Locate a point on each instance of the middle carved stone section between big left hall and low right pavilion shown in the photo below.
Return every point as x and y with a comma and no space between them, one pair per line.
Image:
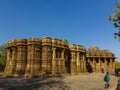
78,61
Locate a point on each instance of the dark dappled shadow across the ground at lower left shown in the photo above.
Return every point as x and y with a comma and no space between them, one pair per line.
42,83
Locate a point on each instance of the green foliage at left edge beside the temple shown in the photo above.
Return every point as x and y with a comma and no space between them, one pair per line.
2,57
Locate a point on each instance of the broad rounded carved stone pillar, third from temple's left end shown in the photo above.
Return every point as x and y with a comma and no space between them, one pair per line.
33,57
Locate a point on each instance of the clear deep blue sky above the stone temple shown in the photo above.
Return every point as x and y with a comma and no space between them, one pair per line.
83,22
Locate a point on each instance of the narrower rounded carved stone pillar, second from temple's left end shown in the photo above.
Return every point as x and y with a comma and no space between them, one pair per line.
21,56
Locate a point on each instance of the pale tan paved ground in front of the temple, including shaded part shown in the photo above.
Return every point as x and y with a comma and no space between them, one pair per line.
92,81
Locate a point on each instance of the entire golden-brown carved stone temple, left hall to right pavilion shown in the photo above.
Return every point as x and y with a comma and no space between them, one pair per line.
52,56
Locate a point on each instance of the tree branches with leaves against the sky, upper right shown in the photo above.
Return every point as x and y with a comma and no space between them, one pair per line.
116,19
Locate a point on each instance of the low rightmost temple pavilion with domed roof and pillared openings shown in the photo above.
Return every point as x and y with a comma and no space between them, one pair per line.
100,59
